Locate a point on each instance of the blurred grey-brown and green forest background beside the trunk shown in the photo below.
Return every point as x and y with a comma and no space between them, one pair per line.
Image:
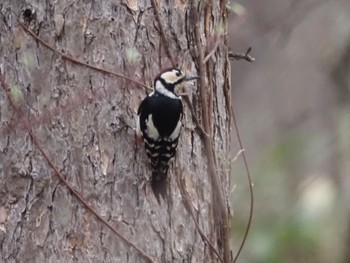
293,110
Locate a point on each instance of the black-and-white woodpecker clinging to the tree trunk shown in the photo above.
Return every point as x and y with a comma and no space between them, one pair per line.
159,122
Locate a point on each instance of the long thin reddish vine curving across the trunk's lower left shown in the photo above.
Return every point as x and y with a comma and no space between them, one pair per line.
62,179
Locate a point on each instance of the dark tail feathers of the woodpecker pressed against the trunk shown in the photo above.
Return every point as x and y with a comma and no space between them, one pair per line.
158,183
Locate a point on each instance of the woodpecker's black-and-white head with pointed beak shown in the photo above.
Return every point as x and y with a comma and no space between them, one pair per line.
166,82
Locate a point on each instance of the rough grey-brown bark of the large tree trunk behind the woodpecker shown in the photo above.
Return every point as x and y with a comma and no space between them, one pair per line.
74,112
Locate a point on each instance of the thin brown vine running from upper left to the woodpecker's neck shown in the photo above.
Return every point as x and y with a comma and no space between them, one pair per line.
75,61
